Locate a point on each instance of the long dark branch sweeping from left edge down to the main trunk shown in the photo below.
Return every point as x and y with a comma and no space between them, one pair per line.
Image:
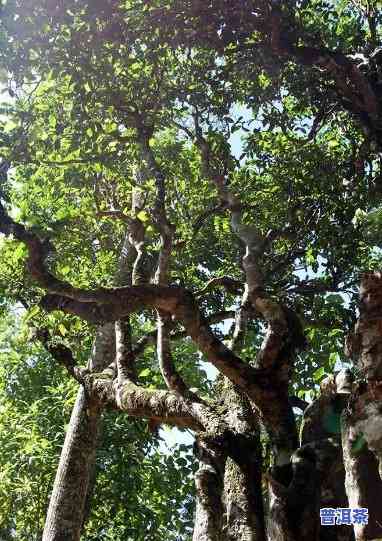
113,304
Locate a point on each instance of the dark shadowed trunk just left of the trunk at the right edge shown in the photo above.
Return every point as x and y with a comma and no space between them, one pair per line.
315,478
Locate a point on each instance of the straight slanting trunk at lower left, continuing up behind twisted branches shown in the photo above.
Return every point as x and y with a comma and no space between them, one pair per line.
71,490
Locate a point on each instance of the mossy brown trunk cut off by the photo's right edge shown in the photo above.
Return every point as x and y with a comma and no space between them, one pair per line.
362,420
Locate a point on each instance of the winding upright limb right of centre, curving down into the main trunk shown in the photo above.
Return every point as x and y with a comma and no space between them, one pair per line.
284,332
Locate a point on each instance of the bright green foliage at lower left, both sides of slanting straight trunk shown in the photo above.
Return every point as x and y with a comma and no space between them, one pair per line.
130,487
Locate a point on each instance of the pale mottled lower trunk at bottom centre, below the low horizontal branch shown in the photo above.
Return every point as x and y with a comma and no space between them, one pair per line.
228,483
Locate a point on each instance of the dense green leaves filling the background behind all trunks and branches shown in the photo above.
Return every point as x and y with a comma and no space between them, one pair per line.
91,92
